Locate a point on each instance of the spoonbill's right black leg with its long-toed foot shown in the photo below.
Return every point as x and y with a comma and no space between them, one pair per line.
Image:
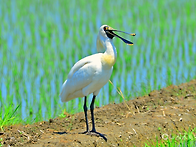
93,131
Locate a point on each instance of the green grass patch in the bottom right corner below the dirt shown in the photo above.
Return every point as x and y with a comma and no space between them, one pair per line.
187,139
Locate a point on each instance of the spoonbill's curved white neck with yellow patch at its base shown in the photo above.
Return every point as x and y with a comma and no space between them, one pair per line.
110,54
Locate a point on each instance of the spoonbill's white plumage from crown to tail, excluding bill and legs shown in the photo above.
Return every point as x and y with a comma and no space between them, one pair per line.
91,73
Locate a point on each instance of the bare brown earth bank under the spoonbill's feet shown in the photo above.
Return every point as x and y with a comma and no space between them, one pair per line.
156,115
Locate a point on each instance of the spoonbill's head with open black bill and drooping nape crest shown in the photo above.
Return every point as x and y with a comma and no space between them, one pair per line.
106,32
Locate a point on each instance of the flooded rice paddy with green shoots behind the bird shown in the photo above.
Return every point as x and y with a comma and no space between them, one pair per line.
41,40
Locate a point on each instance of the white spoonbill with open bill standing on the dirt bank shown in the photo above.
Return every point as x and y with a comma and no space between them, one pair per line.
91,73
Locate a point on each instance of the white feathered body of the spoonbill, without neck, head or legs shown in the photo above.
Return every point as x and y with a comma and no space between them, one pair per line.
87,76
